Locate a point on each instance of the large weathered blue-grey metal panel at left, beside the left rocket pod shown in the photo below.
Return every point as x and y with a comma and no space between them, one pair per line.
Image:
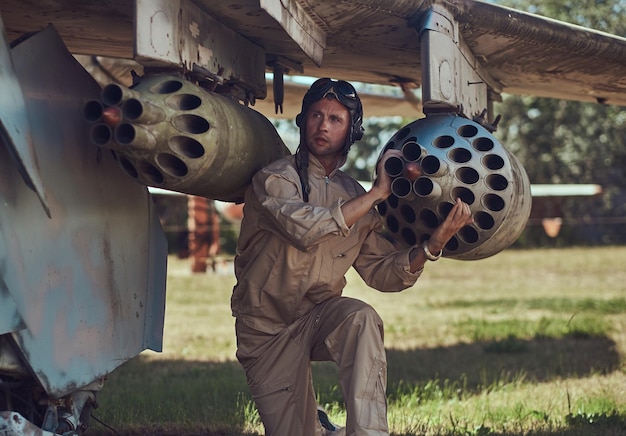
89,282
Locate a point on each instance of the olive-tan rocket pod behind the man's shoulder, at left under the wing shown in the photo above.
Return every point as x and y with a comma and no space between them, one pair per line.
169,133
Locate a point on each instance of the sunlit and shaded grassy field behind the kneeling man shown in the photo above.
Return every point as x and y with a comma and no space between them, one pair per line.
524,342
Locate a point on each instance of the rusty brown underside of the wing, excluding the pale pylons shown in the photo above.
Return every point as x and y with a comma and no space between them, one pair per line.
372,41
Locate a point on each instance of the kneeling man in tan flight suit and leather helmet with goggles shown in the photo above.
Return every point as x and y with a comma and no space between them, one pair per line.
305,224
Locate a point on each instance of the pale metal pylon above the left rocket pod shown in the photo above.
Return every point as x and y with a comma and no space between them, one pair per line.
178,34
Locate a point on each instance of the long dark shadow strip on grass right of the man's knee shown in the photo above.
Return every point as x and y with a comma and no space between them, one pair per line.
485,363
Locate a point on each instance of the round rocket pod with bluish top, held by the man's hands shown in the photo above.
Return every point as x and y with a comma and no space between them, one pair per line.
445,157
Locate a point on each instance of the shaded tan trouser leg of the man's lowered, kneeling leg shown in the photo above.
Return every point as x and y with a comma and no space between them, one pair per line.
279,377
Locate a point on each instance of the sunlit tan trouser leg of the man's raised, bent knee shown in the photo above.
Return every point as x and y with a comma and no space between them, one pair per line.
352,333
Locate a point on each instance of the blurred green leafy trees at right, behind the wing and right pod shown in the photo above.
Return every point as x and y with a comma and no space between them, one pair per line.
572,142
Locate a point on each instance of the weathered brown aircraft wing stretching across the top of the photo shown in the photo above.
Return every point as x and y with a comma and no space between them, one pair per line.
372,41
